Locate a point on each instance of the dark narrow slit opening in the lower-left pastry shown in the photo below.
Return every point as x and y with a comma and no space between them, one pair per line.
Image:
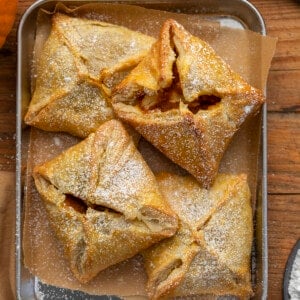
80,206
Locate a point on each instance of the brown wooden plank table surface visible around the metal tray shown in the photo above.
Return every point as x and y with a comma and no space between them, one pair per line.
282,18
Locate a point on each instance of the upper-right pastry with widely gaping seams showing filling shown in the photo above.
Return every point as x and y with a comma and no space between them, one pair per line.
185,100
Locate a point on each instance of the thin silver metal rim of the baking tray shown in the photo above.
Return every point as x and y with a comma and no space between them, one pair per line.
18,246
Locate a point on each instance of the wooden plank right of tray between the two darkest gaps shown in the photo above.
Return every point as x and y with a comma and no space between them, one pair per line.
283,153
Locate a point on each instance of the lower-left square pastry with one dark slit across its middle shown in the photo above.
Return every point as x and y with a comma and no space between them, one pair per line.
103,201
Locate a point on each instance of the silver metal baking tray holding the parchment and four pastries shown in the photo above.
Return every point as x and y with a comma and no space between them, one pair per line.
233,13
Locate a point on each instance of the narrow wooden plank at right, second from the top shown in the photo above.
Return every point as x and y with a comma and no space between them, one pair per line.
283,91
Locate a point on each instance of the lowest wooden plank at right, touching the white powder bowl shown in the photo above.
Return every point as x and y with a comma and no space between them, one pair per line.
283,232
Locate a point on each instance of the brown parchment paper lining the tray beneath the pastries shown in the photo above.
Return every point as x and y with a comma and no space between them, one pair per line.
248,53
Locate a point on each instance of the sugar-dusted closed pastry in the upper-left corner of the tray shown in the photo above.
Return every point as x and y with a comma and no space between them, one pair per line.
68,95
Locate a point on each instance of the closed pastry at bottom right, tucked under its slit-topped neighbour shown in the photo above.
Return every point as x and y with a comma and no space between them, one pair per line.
211,251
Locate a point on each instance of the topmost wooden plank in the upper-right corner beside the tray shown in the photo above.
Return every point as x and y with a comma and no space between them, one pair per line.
282,21
